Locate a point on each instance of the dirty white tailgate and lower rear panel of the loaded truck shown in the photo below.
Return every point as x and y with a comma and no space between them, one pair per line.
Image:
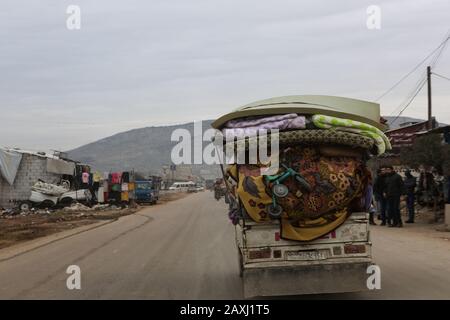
336,262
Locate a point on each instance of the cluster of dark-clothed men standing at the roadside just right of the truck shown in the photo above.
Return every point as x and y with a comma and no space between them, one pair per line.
388,188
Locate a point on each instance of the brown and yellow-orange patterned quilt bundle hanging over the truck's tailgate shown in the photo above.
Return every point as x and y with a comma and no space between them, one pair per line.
338,183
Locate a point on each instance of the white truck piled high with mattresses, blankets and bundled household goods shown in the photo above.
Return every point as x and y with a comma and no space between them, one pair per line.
303,229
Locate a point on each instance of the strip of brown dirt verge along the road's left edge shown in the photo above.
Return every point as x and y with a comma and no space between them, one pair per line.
15,229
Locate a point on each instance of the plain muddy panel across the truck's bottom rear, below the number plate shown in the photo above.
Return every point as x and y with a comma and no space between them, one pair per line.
305,279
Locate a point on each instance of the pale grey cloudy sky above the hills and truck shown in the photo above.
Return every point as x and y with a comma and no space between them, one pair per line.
142,63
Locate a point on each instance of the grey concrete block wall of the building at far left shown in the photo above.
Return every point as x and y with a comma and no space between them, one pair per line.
30,170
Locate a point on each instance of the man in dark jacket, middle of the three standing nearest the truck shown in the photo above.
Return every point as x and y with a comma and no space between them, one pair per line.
393,190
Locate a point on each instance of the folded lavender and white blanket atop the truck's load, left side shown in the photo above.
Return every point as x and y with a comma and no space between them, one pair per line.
249,127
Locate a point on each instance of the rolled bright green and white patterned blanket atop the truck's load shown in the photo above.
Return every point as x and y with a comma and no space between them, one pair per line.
339,124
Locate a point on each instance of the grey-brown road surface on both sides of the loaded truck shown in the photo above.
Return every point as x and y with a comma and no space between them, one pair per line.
185,250
